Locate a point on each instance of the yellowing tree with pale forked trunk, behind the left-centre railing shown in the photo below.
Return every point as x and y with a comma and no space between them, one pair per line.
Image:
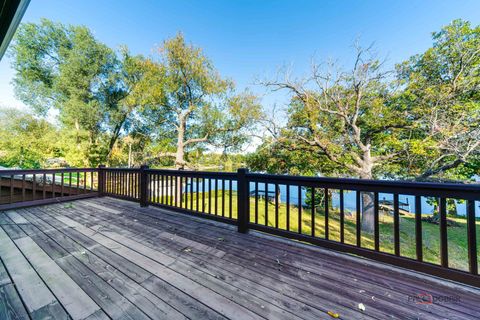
188,105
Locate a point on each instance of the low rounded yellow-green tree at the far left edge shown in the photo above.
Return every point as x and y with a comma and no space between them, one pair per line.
26,141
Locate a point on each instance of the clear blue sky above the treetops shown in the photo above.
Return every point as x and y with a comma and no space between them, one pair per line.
248,39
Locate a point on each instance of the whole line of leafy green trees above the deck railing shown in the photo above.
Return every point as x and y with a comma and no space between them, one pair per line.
419,120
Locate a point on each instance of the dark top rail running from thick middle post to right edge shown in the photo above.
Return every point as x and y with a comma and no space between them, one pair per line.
448,190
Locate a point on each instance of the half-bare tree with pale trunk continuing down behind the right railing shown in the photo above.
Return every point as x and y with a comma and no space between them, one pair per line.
347,117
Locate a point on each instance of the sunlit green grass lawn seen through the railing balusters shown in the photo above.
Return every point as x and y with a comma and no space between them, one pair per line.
457,236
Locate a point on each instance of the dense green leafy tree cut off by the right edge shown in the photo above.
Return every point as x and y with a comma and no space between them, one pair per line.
442,88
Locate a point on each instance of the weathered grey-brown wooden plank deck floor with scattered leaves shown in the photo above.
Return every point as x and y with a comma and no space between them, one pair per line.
105,258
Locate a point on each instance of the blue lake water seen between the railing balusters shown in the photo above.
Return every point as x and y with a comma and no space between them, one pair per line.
349,197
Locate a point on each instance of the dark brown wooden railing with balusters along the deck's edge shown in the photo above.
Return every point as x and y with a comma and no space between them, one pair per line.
408,224
